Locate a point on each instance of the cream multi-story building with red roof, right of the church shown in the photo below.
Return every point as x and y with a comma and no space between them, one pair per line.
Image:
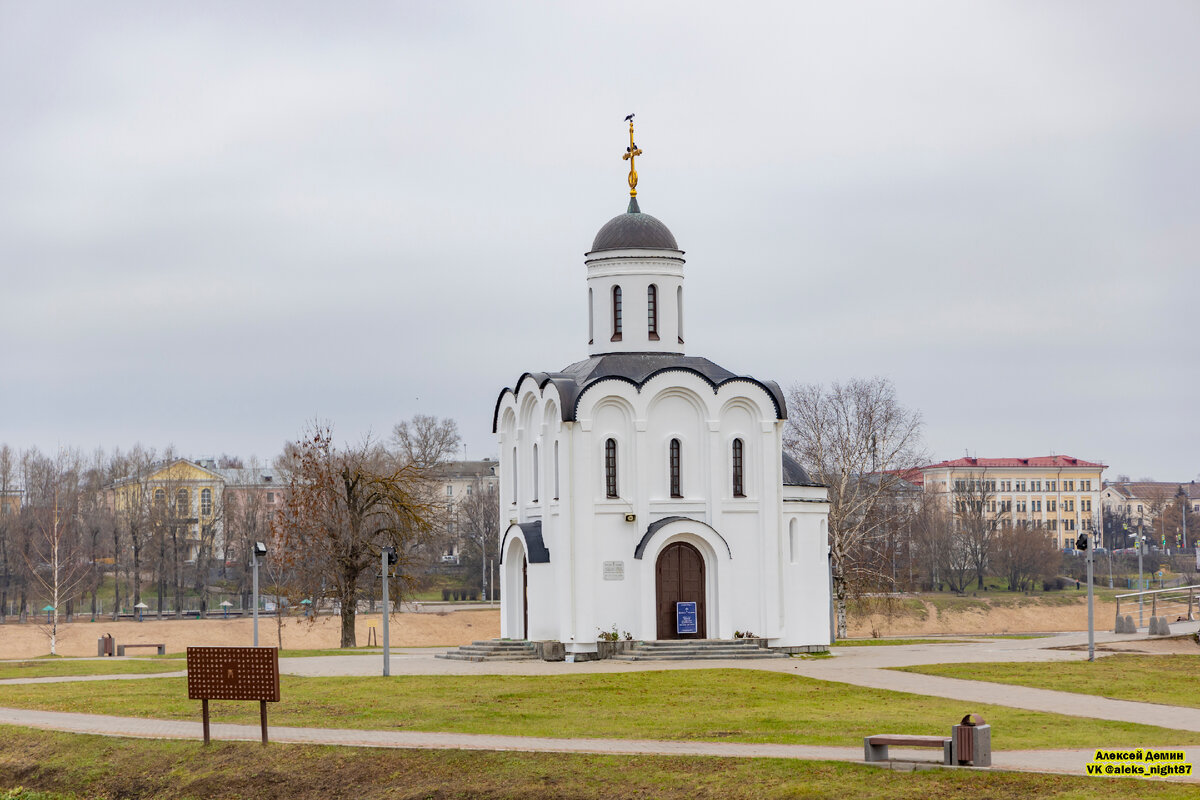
1057,494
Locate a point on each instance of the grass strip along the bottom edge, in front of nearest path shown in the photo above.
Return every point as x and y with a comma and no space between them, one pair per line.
57,767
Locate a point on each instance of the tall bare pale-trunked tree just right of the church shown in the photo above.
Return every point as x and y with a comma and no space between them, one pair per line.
860,442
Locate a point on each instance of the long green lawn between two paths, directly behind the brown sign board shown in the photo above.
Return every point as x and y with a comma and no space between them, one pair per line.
703,705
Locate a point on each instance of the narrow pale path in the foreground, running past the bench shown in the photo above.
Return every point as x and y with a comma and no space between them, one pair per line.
1070,762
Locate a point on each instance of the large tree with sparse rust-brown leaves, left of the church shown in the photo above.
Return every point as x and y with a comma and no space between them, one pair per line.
343,506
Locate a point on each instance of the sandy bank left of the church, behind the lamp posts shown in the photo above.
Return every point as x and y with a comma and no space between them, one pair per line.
428,629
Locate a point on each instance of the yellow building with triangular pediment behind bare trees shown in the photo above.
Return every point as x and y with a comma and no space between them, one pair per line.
177,495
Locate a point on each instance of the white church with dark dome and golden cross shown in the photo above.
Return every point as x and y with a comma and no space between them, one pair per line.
647,490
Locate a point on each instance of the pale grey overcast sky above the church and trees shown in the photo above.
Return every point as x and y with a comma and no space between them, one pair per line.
219,221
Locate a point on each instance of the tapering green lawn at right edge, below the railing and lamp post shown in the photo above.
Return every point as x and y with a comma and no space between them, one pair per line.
1148,679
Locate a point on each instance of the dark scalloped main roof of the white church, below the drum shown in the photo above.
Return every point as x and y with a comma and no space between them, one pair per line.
637,369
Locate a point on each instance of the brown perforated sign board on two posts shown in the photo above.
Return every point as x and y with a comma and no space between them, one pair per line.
233,675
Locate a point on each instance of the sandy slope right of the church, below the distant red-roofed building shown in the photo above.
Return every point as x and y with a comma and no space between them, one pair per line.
1028,619
